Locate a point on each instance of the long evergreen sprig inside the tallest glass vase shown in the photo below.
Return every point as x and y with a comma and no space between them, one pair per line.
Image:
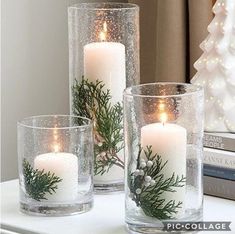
93,100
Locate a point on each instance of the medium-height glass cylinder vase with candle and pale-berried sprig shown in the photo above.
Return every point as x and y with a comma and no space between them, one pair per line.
163,124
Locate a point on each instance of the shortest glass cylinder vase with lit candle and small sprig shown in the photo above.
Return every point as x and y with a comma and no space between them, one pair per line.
55,157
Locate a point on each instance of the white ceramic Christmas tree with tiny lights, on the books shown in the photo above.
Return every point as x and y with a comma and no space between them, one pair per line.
216,69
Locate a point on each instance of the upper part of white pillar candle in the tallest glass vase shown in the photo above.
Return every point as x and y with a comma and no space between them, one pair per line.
105,61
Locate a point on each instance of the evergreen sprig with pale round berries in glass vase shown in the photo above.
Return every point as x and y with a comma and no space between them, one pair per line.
147,186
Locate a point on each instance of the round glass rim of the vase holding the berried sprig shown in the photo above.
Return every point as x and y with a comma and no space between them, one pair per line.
195,89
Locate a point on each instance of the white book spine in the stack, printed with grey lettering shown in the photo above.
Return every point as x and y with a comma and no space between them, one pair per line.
219,158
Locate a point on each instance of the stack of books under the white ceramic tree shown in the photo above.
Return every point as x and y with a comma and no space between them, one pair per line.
219,164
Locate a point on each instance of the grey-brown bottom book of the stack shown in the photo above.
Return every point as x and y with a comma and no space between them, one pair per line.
219,187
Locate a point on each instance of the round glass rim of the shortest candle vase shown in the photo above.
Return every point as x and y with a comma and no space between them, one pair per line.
23,123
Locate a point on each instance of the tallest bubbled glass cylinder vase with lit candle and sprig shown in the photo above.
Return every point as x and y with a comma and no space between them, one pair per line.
103,61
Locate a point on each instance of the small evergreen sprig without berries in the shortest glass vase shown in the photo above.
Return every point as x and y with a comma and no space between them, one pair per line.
39,183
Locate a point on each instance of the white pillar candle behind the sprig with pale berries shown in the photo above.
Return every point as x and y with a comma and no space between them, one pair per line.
168,141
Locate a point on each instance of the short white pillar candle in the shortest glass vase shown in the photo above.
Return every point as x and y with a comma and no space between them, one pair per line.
65,166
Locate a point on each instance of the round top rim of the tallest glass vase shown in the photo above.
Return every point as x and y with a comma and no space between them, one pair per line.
94,6
